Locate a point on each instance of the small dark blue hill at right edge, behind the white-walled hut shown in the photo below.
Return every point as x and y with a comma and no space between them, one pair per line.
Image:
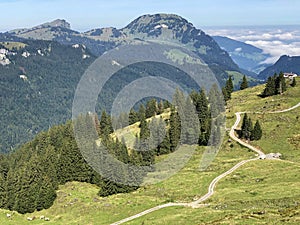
284,64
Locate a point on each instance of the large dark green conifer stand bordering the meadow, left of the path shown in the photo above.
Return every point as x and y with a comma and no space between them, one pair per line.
30,176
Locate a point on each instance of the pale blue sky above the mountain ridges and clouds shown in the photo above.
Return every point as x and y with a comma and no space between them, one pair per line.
88,14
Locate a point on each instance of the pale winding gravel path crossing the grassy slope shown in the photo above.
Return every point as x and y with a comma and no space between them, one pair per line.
196,203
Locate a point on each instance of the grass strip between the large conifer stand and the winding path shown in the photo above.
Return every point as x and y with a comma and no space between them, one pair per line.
78,203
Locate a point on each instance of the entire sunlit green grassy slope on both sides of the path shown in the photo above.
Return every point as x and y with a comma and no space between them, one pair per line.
270,187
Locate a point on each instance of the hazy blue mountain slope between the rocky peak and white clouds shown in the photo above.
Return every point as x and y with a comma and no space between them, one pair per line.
247,57
